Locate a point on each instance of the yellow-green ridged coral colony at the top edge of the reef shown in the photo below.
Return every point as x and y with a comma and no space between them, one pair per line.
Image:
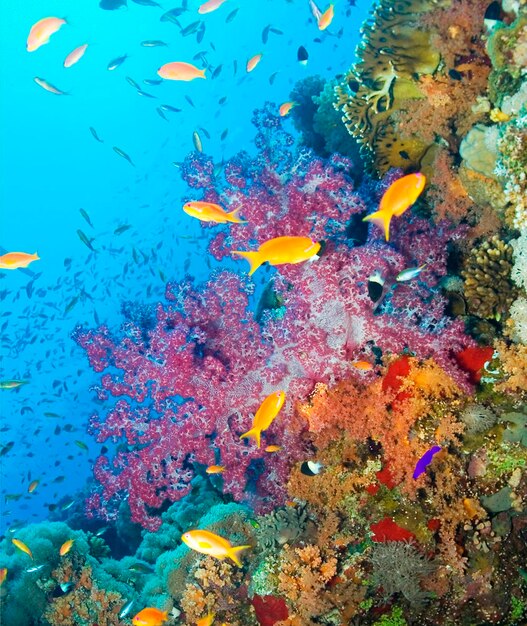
394,51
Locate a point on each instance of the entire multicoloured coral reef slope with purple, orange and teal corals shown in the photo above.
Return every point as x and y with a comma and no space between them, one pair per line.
395,490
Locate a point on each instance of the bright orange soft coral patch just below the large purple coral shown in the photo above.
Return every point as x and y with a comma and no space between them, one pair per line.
365,412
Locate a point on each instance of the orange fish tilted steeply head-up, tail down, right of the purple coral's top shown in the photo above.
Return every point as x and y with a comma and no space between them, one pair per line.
399,197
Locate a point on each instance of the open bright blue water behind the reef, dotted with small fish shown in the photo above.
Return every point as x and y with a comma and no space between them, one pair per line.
51,166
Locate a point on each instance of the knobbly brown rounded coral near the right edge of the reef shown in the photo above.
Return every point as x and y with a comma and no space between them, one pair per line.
489,291
